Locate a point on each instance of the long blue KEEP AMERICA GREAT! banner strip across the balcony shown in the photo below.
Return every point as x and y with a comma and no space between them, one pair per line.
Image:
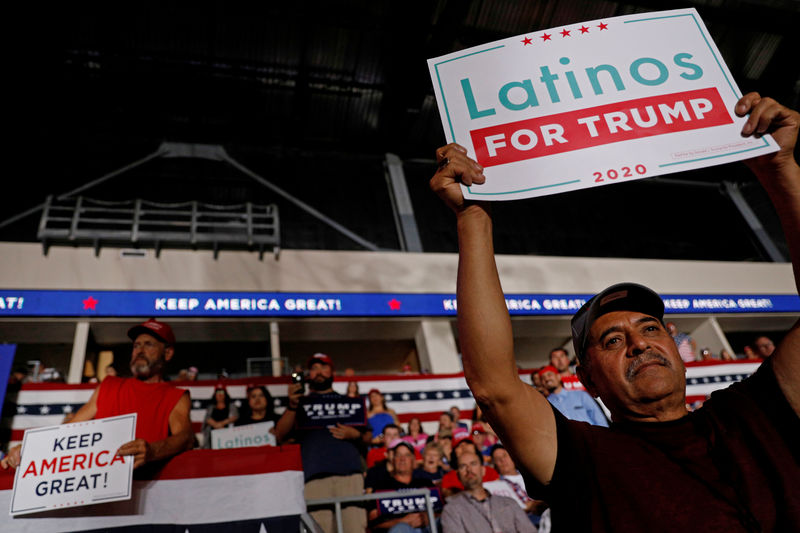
42,303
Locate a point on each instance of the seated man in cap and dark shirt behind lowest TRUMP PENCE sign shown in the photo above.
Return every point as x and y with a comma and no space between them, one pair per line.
402,477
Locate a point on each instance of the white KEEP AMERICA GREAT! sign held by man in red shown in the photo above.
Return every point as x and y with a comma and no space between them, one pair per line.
74,464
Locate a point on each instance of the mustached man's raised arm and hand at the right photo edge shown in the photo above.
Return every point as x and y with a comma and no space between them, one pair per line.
779,174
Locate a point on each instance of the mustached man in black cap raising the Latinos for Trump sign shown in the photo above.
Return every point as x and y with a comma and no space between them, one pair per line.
730,466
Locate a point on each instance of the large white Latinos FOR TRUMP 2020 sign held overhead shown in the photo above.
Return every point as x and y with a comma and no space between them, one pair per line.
592,104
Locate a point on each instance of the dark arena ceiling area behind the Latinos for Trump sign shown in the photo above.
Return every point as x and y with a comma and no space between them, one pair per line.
312,94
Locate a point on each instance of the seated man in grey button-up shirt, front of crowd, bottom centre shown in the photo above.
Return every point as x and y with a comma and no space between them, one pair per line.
476,510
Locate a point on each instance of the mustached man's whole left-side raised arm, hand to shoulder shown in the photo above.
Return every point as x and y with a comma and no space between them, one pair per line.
519,414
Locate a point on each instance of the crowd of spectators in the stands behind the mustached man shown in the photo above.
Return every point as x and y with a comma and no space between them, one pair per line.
465,462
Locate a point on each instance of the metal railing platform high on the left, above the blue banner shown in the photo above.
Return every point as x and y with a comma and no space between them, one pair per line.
81,220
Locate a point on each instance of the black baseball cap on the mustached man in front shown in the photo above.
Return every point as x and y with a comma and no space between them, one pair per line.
619,297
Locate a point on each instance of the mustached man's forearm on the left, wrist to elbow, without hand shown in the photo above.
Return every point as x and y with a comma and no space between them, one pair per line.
483,322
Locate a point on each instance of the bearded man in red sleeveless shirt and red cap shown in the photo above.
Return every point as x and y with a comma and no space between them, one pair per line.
163,428
